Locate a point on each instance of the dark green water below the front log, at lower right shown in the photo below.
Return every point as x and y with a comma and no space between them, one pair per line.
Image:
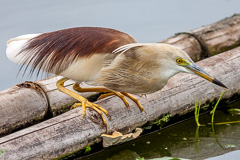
184,140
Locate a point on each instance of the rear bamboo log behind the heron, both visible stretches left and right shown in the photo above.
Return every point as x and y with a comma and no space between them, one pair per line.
224,33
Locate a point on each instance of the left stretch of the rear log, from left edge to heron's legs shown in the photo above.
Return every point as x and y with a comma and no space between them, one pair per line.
32,102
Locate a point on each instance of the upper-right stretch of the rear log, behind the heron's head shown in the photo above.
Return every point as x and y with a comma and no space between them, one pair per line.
209,40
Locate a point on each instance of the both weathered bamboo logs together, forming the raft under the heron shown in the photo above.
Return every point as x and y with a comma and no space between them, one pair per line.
66,133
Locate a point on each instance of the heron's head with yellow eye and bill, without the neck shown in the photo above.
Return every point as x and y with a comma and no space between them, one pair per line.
176,60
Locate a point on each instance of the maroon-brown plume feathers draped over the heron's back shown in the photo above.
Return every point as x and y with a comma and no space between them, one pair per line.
53,52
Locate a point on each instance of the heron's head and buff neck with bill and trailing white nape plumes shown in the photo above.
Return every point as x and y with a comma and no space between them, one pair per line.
167,60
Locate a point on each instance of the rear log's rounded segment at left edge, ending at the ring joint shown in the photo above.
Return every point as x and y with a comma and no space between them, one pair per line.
13,110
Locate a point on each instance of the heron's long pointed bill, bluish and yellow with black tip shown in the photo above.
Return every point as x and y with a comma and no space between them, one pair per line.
198,71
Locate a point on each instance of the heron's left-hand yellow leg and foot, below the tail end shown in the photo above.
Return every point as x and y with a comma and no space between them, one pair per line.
84,102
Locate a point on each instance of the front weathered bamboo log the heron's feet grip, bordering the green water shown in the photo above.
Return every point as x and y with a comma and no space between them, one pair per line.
69,132
